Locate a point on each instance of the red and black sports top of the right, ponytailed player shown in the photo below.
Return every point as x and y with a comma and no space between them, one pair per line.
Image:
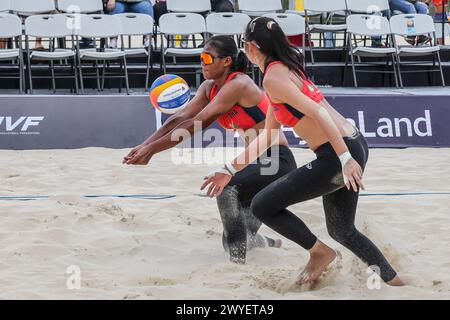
287,114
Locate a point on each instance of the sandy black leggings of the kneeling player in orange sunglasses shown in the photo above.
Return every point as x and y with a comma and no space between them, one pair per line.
240,226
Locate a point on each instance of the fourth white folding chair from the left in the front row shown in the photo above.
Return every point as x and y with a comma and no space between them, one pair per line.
137,24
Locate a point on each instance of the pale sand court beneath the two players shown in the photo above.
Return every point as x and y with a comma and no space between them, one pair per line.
123,245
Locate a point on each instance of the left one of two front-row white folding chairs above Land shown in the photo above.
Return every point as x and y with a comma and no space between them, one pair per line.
369,26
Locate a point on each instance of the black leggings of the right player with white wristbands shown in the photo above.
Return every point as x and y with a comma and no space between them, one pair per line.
322,177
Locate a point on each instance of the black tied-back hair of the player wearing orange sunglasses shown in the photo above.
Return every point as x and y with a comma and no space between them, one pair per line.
226,47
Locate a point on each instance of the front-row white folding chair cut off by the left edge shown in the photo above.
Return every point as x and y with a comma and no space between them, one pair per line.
11,27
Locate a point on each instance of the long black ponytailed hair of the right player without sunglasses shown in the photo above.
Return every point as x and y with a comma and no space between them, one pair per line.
273,42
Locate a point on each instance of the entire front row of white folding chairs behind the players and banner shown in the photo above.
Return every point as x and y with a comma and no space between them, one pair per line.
105,26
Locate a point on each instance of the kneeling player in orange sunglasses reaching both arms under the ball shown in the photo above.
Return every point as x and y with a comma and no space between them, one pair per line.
231,97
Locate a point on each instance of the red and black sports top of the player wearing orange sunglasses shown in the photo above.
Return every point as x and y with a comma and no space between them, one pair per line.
239,117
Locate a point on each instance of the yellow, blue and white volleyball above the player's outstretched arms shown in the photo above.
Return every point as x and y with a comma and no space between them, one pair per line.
169,93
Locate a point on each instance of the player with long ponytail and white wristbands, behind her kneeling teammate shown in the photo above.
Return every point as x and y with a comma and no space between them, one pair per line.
336,174
